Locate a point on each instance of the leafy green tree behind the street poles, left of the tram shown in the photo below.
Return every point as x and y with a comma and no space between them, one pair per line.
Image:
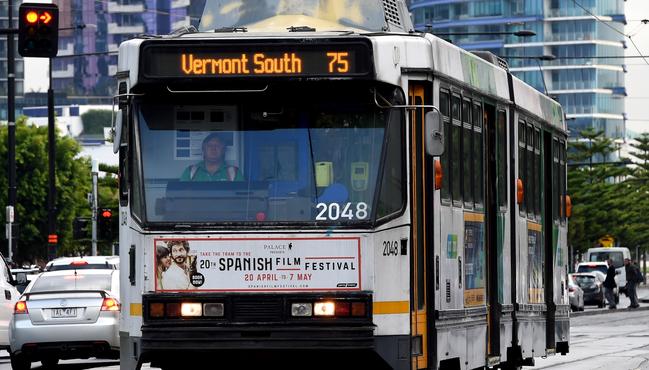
73,182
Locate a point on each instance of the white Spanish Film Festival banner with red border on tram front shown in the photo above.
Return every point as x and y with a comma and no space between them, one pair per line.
258,264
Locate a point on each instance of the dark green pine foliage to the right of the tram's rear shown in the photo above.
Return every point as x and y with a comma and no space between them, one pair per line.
608,198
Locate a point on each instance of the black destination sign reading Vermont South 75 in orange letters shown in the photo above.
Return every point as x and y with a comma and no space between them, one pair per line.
190,60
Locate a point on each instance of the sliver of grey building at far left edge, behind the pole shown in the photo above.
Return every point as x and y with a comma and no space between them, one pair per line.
19,65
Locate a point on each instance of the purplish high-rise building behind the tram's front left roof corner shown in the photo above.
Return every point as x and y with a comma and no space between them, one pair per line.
92,32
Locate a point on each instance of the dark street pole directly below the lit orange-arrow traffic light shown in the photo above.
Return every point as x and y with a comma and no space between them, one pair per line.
51,140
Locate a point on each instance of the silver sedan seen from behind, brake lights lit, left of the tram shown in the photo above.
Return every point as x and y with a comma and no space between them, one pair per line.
64,315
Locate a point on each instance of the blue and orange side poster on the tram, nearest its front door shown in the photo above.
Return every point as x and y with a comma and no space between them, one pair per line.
474,265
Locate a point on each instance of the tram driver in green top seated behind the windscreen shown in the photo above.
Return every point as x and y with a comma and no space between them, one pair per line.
213,166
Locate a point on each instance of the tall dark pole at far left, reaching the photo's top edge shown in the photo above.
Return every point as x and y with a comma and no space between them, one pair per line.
11,122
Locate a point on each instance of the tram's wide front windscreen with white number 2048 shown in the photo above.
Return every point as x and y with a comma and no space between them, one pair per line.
206,163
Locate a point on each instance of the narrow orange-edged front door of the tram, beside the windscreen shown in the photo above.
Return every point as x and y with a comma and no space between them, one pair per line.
422,226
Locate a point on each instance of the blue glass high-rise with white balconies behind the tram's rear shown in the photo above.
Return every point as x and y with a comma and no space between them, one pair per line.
578,33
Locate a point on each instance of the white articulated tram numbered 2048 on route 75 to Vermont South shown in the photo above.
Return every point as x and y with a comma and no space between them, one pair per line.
315,183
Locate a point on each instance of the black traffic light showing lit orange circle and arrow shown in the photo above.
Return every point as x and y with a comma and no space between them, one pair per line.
38,30
